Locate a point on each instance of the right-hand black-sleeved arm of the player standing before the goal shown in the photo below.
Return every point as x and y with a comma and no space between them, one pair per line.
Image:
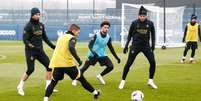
153,35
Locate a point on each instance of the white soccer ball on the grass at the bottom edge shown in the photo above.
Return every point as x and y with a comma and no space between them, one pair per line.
137,95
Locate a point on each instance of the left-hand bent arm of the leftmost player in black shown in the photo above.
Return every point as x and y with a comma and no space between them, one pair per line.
26,36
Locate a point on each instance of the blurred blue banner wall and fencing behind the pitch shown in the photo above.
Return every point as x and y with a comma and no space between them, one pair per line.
58,14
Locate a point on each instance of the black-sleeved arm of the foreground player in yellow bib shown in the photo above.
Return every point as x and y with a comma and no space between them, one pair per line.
71,45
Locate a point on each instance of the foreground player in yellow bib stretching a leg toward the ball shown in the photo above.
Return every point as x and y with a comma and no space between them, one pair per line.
63,62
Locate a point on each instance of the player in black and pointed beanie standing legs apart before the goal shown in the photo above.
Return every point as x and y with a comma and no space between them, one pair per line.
139,32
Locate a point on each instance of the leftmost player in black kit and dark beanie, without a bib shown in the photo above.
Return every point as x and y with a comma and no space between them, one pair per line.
34,33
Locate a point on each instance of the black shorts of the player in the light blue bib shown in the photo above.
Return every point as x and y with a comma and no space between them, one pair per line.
103,61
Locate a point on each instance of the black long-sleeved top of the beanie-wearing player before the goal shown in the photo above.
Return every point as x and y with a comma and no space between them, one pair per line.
140,33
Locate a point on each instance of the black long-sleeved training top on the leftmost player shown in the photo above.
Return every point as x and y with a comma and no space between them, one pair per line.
34,33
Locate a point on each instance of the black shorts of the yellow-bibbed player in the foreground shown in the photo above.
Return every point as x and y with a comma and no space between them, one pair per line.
72,72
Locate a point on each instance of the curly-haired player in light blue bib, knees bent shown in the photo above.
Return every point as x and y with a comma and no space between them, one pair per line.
97,47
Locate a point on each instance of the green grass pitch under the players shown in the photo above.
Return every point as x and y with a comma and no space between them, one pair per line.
176,82
